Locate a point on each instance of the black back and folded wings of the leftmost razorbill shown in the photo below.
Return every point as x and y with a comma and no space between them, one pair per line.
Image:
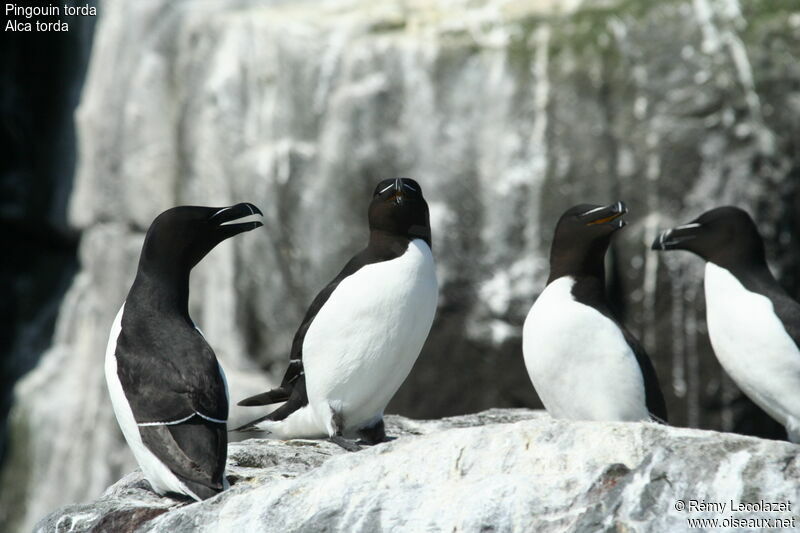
176,390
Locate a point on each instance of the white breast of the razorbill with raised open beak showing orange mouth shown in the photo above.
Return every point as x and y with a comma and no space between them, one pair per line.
578,360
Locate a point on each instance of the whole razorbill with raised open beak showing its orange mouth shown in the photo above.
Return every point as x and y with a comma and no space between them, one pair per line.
583,362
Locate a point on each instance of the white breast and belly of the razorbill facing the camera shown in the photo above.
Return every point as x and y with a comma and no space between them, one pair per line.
363,342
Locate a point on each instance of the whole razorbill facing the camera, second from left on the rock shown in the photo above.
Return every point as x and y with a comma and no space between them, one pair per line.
363,331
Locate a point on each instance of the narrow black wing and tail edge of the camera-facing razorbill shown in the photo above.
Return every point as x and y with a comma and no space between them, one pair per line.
295,372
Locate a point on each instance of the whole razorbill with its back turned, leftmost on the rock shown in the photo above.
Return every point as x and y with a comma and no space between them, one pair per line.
168,391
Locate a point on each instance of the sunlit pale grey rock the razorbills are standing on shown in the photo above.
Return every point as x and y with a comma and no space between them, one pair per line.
499,470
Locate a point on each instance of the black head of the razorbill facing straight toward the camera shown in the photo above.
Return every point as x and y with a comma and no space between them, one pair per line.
398,208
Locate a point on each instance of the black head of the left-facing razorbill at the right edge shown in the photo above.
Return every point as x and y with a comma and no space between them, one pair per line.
726,236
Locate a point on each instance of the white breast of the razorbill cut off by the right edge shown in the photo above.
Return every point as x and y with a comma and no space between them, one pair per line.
753,346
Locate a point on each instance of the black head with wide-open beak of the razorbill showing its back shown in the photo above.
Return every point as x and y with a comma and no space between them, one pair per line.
180,237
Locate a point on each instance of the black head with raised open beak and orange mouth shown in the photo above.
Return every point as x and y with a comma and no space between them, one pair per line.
581,239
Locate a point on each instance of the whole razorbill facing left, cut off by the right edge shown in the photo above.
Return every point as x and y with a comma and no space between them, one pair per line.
753,324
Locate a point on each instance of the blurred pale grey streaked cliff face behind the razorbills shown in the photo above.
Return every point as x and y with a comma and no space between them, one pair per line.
507,112
